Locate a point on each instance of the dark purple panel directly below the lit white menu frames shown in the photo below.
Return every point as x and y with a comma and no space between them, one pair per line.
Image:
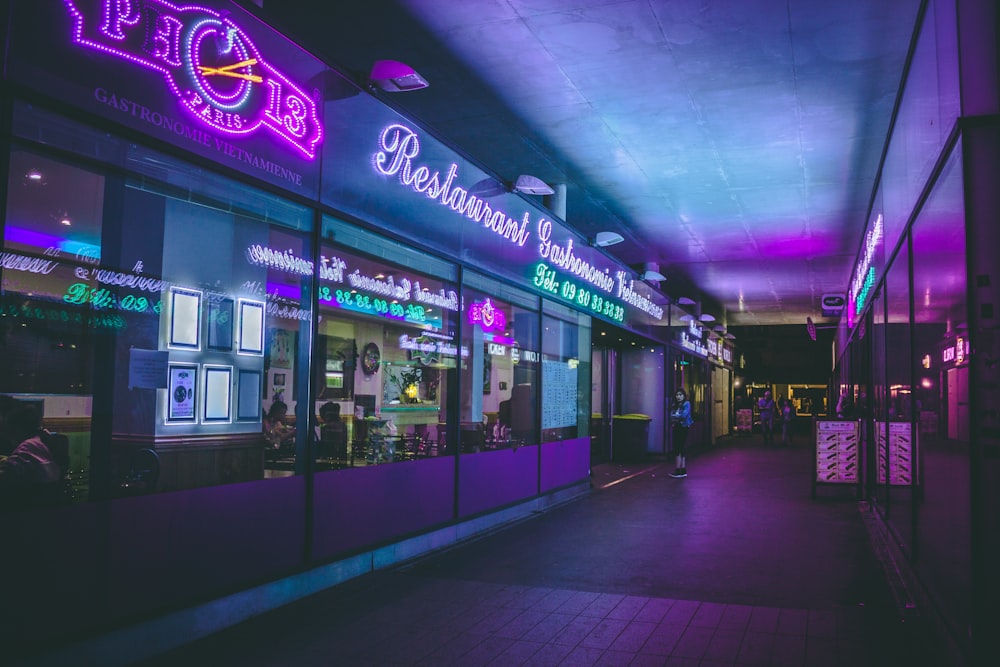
173,548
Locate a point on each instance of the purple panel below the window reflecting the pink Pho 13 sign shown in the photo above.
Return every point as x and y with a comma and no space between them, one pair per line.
492,479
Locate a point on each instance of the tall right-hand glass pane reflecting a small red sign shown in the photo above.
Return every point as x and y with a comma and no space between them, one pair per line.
942,550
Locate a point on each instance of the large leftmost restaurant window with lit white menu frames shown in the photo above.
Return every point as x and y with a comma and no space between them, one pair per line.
149,326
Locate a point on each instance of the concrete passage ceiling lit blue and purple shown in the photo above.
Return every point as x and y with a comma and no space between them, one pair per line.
733,142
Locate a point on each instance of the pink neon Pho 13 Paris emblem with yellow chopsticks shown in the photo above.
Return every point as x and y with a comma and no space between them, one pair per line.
208,62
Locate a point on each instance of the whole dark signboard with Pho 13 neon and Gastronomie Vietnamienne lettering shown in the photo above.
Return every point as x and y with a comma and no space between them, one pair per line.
207,77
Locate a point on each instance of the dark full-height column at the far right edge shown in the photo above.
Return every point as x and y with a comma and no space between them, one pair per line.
980,93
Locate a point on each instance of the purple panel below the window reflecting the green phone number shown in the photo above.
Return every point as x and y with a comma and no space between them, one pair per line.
359,507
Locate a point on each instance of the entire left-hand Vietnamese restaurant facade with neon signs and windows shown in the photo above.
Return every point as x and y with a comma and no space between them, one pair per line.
202,221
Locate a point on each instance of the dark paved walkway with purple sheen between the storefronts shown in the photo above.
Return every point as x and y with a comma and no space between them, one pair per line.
734,565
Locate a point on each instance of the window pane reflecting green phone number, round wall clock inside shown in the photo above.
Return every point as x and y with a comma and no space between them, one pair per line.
386,355
